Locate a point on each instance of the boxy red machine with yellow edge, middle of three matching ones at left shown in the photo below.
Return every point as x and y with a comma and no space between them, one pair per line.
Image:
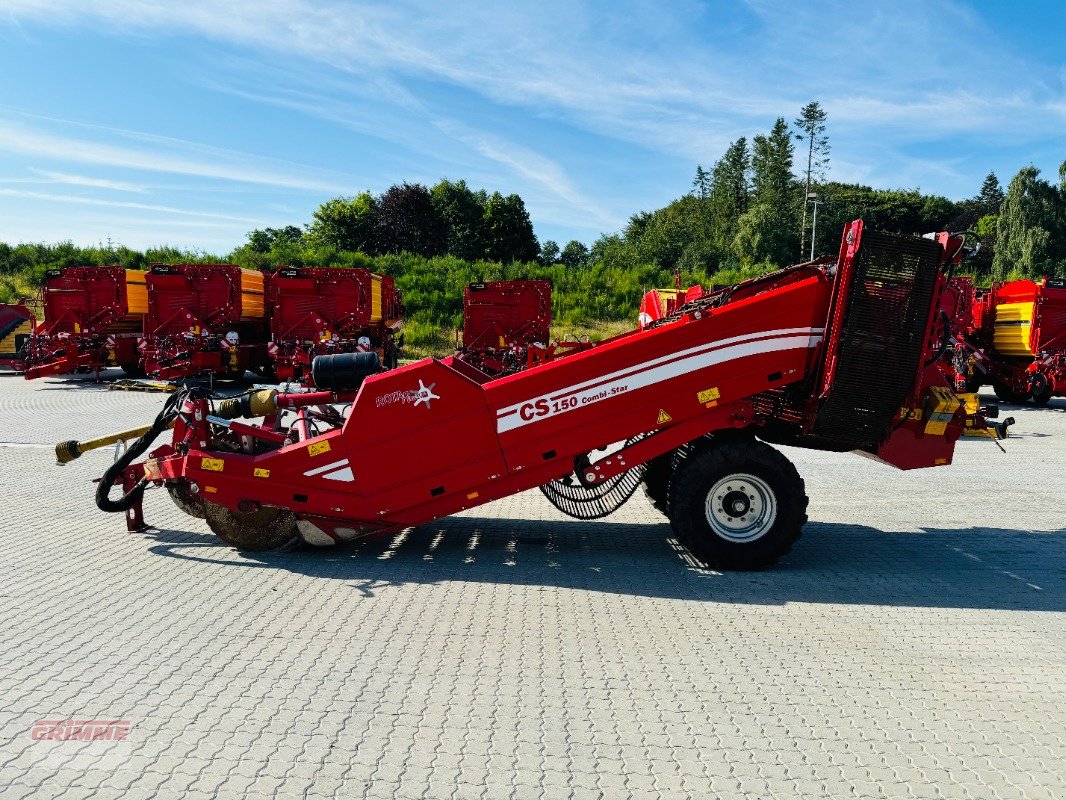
205,319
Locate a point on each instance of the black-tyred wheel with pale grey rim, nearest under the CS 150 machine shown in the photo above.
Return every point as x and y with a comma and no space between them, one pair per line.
738,505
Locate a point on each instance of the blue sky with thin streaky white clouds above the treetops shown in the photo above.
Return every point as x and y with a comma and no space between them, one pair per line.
192,123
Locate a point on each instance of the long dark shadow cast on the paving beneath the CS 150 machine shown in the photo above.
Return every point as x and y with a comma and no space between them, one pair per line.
833,564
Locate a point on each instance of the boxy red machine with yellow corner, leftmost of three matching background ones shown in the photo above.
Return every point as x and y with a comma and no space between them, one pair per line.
93,319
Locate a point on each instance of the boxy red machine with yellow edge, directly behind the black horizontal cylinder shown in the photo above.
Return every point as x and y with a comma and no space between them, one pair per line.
329,311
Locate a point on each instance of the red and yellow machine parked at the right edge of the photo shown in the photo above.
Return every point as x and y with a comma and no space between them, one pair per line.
1016,341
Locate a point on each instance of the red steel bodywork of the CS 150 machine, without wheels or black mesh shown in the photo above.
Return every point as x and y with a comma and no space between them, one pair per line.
439,437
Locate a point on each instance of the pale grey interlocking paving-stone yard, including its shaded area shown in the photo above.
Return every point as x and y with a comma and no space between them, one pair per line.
911,647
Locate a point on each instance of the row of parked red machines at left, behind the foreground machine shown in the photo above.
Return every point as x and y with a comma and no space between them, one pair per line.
185,321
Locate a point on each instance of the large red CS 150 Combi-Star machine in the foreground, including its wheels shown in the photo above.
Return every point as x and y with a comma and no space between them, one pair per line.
835,356
